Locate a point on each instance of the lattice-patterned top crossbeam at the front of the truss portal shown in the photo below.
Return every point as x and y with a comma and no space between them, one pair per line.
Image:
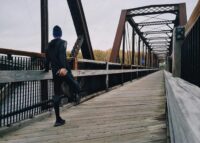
153,9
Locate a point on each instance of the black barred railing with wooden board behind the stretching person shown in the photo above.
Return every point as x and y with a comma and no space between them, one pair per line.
27,91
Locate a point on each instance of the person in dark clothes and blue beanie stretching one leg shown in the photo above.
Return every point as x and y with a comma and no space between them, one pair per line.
56,55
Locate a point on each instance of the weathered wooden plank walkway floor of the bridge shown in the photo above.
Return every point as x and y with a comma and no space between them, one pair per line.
133,113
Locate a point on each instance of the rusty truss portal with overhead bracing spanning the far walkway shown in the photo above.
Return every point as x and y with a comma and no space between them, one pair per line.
152,32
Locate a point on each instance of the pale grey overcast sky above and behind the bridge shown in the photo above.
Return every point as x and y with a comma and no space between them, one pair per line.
20,21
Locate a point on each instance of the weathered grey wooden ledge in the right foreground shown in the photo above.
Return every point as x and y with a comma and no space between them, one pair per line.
183,101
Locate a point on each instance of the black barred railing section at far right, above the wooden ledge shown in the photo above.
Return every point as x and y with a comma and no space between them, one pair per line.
190,58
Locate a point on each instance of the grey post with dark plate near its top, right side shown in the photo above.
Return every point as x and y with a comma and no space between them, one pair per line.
178,39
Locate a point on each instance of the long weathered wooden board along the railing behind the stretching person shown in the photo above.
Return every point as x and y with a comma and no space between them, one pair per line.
34,75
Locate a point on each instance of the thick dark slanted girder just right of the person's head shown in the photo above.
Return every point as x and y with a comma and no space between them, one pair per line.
80,24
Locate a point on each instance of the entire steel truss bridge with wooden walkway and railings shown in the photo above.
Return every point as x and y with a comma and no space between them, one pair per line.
148,91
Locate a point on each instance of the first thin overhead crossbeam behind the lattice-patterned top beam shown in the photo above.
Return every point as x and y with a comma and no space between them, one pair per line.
156,23
